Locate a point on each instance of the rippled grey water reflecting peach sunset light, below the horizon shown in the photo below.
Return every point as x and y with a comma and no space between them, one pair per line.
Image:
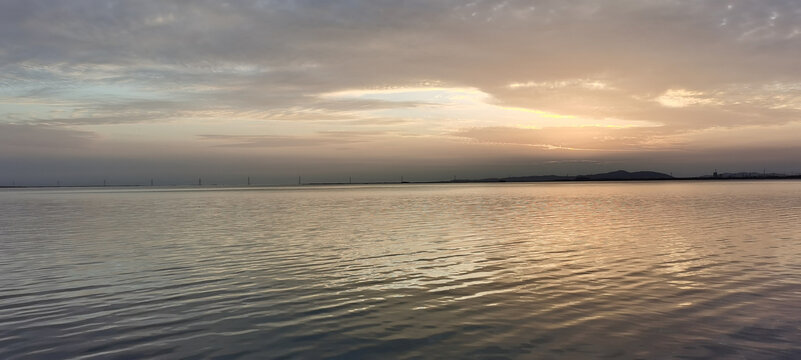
548,270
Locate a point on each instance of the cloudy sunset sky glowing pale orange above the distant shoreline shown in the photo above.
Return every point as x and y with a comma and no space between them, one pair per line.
128,91
